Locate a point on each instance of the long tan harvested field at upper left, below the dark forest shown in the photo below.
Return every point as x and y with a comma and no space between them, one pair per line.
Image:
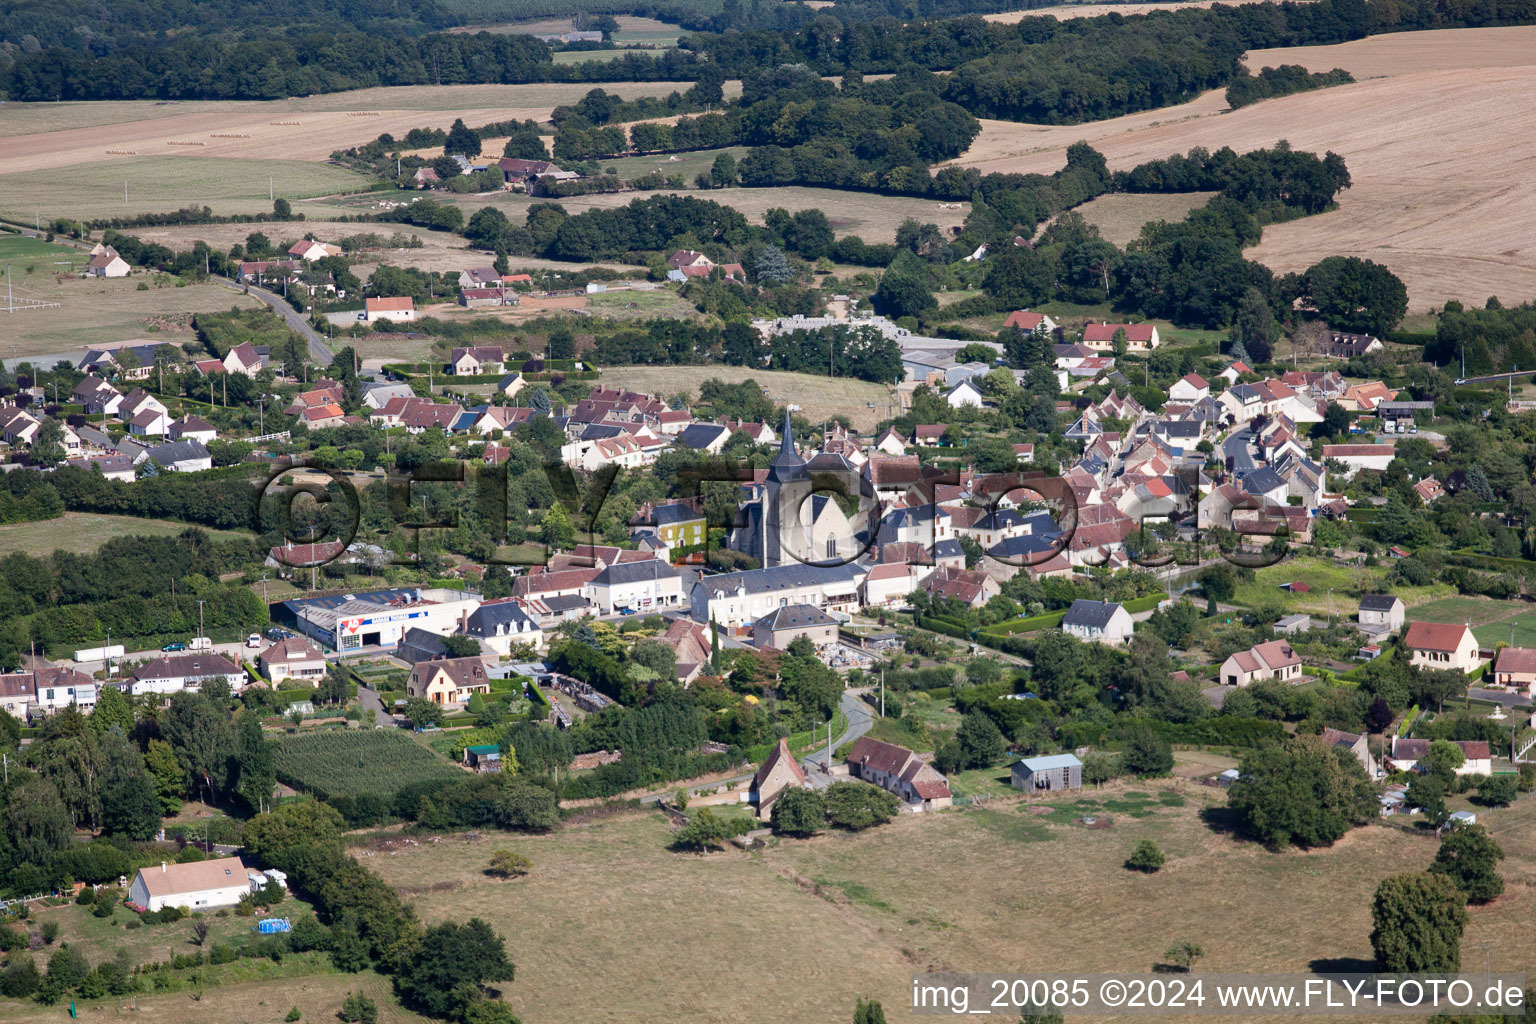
68,134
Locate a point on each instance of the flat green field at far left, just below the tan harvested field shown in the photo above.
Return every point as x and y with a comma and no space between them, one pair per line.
167,183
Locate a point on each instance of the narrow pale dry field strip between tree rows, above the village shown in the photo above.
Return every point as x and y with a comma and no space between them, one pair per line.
872,217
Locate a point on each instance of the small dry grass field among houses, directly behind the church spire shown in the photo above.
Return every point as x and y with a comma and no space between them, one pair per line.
819,398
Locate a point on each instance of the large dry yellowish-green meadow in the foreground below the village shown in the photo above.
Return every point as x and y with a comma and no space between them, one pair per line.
925,893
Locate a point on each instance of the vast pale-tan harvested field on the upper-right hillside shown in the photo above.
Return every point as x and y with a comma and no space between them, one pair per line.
1440,179
